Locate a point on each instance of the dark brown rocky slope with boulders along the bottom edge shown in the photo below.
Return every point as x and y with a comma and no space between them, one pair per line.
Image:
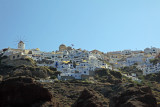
25,92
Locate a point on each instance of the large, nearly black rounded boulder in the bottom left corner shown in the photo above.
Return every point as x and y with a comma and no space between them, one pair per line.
23,92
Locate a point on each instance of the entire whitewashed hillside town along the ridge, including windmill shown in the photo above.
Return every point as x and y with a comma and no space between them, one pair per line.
81,64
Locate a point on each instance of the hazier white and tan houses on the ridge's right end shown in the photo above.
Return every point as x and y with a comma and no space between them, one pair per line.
141,59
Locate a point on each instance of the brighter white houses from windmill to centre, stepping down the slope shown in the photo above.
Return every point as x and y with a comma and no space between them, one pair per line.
73,63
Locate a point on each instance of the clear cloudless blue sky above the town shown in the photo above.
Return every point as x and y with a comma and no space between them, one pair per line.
105,25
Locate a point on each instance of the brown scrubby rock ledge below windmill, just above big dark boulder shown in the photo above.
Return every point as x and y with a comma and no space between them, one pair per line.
23,70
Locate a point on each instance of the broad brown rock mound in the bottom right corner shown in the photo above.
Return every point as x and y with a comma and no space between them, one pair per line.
134,96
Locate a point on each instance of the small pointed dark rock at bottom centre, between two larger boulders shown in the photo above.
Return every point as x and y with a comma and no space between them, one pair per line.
88,98
